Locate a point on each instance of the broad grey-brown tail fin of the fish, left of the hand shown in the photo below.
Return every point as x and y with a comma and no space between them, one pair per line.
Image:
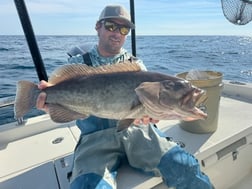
26,96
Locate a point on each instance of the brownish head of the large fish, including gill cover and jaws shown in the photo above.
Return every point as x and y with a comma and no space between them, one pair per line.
171,99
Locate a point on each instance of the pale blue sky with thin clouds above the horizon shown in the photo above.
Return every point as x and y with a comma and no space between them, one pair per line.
153,17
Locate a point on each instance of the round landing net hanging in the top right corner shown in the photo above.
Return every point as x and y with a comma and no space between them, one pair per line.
238,12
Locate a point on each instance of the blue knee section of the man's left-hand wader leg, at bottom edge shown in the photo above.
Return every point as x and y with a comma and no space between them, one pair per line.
90,181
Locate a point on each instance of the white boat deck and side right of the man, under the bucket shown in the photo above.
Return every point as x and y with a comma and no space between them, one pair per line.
225,155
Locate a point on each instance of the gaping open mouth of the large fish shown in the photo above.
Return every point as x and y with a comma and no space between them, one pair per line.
193,99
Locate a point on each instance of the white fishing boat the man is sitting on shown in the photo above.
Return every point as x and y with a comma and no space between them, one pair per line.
38,153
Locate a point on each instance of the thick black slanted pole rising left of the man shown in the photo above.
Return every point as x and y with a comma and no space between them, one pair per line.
31,40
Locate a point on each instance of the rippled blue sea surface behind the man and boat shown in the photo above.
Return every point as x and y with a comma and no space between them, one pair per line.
231,55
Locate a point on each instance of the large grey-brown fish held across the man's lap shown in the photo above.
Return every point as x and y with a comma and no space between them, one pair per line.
120,91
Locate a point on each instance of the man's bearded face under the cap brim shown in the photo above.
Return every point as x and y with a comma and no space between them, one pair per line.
110,42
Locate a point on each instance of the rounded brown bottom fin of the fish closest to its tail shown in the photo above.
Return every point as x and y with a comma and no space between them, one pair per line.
60,114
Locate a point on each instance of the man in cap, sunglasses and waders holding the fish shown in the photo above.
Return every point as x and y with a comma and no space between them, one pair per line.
101,147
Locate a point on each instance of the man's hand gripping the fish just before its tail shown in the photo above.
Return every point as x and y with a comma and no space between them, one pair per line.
42,96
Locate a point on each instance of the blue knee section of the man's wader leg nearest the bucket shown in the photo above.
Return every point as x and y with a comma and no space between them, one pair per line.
181,170
